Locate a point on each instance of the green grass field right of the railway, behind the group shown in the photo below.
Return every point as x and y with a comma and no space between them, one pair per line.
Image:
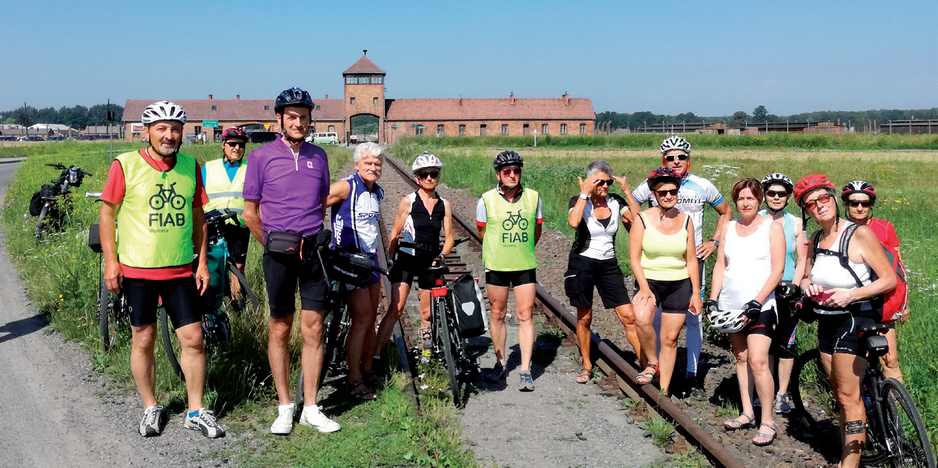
906,193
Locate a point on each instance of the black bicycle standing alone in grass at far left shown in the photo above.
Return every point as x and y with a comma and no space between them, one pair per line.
51,203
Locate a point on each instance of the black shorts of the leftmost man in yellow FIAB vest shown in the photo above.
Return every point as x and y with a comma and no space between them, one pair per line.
179,296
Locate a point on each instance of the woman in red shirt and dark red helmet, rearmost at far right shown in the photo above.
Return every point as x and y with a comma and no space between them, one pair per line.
860,197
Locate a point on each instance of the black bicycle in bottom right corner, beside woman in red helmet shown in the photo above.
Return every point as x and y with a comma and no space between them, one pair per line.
895,430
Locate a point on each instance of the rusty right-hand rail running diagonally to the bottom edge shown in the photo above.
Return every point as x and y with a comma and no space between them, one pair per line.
608,357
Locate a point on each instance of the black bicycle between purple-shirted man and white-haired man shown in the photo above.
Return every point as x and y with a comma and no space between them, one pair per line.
341,266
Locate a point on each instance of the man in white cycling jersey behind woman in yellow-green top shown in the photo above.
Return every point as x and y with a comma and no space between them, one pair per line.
694,195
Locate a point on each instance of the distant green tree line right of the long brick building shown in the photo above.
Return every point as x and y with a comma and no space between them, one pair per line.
616,120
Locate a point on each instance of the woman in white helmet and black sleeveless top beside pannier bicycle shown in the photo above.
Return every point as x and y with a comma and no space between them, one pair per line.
420,218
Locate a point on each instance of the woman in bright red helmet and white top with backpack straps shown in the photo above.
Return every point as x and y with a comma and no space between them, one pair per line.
843,308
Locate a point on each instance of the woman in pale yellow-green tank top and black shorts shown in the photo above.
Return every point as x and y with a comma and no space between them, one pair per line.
664,262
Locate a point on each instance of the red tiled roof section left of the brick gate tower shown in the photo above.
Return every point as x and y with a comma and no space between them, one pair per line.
235,109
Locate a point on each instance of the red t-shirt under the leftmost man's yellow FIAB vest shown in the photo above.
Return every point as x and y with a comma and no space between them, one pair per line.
114,190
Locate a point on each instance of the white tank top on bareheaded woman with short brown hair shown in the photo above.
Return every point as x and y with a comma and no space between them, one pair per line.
748,266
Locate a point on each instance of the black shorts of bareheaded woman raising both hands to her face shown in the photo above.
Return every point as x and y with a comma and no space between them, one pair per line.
584,273
